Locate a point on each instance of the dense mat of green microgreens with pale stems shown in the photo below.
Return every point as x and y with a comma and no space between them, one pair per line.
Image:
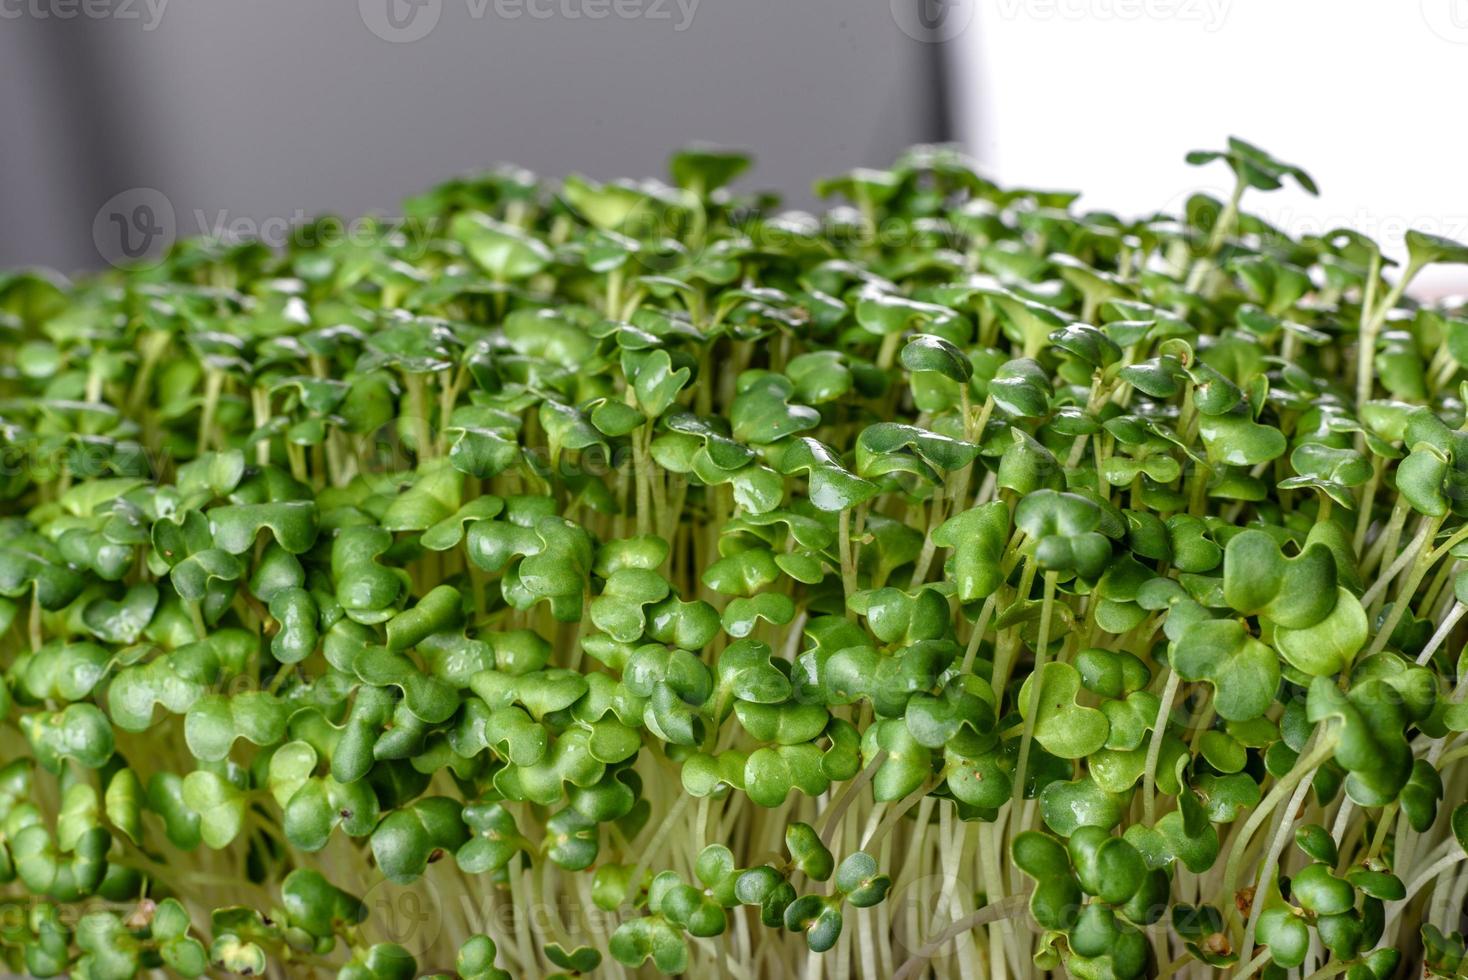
628,579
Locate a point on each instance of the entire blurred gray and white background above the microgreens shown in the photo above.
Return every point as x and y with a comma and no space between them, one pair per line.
130,122
